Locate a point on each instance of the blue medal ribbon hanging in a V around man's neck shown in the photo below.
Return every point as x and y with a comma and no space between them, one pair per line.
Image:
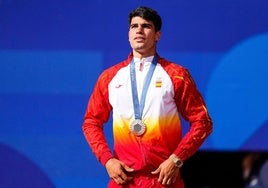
138,107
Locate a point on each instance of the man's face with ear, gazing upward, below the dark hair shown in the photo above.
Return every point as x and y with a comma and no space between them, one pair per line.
142,36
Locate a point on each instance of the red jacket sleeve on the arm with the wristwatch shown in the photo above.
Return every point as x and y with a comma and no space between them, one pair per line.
193,109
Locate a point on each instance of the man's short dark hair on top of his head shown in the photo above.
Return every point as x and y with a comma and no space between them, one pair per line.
147,14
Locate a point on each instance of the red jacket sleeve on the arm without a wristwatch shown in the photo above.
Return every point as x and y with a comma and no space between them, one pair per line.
97,113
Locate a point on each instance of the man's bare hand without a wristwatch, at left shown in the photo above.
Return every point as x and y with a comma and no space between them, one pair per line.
117,171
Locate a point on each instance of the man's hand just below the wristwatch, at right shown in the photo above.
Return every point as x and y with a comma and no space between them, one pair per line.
167,171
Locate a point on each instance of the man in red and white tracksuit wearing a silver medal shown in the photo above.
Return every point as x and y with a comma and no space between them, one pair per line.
146,94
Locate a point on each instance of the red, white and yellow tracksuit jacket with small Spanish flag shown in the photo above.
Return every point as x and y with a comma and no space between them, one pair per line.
172,94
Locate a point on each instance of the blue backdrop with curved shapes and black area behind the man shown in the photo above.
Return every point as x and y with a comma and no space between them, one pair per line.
52,51
